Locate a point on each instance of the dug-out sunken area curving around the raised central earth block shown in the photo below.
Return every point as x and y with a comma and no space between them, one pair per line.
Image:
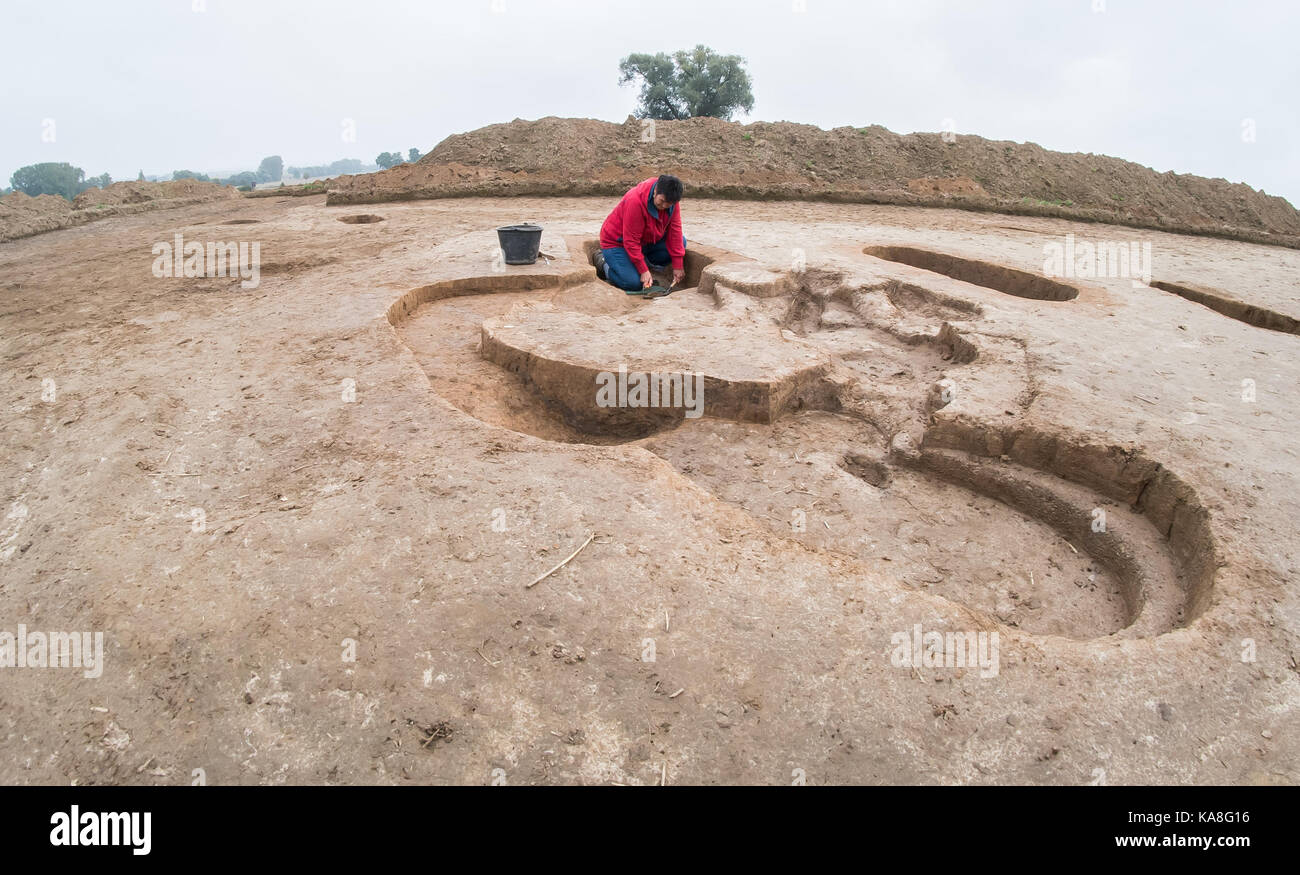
1019,493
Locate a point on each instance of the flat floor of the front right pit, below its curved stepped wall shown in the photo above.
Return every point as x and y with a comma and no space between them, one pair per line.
933,536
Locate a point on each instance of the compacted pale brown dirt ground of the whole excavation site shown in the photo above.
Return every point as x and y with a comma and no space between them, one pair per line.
310,517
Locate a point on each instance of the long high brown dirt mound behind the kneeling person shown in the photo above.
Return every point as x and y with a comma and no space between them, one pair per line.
773,162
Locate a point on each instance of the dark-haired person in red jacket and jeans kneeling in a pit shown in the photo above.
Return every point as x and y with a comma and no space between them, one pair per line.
644,232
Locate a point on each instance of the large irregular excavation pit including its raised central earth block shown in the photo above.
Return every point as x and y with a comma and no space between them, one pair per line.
803,380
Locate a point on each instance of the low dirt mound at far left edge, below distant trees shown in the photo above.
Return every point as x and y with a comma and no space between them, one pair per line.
24,216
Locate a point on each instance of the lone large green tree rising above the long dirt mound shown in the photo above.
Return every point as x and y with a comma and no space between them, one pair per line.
684,85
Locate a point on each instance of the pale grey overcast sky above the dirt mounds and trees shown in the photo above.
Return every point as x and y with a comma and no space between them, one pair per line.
159,86
